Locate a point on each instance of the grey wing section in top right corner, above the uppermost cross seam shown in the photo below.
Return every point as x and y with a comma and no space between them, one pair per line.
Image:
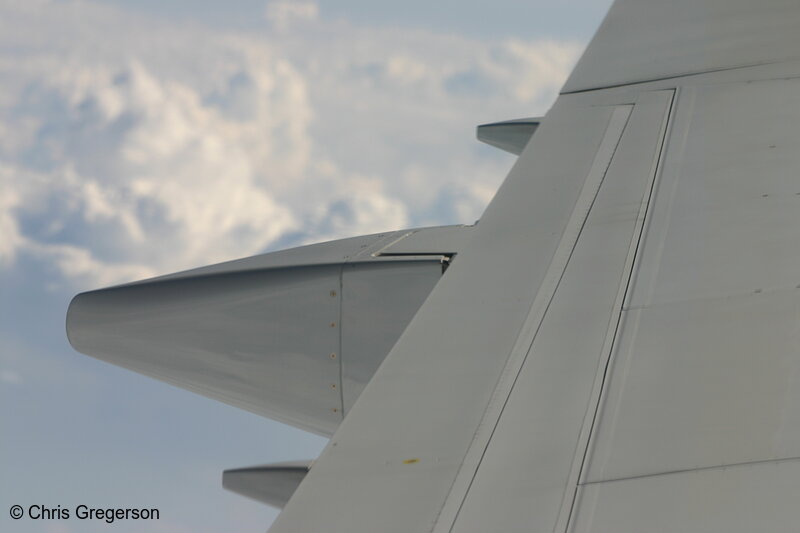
643,40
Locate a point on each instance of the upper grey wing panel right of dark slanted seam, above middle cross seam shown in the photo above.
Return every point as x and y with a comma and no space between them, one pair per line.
725,221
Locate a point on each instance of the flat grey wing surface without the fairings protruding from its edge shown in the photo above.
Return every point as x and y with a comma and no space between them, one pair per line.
617,347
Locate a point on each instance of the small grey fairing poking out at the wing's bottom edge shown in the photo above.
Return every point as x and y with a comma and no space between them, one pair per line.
271,484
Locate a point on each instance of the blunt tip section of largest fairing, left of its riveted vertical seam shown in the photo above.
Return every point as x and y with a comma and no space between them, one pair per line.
258,340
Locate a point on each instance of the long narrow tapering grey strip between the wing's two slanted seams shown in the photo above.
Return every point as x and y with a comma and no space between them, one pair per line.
536,447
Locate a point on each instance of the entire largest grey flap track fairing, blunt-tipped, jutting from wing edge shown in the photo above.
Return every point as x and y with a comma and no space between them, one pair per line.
293,335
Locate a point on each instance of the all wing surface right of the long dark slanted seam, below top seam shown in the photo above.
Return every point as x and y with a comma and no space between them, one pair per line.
698,429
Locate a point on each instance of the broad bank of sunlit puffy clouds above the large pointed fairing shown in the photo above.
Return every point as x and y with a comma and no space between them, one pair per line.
129,148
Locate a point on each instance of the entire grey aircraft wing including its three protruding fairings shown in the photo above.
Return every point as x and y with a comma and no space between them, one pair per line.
614,347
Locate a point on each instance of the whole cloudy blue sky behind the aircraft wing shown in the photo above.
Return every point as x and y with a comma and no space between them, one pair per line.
141,138
